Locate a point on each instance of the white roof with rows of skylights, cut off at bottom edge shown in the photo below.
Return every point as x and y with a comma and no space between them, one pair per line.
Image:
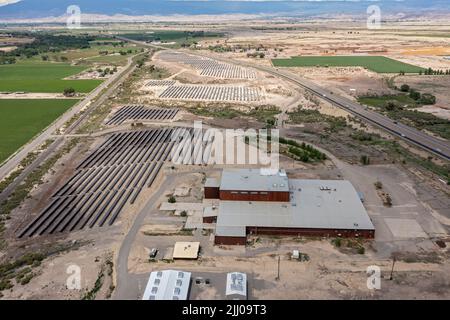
167,285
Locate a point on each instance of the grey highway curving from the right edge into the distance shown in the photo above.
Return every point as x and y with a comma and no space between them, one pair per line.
437,146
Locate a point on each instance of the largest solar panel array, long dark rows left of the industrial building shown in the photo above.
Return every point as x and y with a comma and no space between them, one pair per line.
113,175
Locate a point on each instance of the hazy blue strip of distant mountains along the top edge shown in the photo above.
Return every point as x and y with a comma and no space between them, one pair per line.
36,9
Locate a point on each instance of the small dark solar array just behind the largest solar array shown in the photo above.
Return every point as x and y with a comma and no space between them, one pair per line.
139,112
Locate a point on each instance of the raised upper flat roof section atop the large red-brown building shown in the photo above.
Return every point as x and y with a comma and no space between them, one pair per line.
254,180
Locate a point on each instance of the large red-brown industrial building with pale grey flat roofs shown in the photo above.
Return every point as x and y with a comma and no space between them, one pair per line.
268,203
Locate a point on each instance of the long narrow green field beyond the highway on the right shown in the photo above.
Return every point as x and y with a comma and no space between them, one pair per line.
375,63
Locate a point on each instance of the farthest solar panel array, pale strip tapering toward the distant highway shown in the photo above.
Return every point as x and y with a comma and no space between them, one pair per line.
210,67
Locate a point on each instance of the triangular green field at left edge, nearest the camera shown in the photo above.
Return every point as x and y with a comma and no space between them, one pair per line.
22,119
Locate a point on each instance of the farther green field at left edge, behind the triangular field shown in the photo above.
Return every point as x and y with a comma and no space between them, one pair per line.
42,77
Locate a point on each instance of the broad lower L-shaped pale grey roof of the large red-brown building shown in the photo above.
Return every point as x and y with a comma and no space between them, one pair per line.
320,204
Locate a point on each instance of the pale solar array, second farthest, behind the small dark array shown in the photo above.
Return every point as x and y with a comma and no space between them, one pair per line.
211,93
